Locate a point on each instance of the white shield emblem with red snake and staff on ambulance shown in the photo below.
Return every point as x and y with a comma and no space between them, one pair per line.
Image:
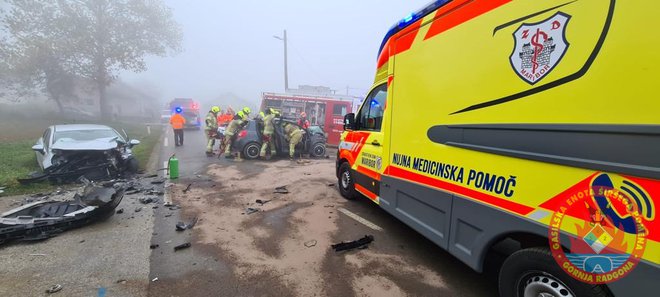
539,47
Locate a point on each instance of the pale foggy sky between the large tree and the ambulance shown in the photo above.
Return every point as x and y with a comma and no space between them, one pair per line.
229,46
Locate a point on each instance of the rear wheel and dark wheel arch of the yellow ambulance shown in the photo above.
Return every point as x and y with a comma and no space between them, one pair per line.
534,270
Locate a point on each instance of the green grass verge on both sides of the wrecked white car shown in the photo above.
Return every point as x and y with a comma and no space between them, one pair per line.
17,159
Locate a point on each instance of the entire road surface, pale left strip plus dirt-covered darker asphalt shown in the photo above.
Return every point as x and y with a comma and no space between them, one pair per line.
282,249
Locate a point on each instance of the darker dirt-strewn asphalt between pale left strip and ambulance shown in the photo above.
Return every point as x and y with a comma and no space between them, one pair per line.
263,254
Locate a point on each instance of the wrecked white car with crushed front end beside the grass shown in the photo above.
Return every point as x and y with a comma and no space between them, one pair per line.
67,152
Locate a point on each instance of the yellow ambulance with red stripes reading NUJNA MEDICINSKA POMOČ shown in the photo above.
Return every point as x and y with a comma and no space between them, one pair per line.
534,124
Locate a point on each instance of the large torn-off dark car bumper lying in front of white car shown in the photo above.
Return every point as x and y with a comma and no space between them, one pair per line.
44,219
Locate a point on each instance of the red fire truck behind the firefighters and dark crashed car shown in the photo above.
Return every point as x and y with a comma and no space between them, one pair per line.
325,111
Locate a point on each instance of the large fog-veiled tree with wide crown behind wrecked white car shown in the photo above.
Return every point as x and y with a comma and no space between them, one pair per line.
92,39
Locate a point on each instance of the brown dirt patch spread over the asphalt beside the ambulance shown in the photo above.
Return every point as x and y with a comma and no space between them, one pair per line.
269,245
